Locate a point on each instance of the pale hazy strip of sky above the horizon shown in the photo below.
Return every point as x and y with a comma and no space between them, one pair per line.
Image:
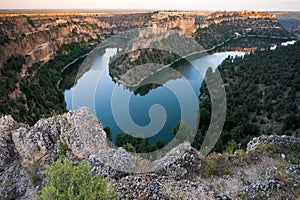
292,5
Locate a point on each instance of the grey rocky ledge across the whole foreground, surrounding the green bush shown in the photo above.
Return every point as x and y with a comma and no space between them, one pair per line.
269,169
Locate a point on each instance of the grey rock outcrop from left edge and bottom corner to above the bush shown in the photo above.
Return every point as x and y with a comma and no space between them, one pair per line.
25,150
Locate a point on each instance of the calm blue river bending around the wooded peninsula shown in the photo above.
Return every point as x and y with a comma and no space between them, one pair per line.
96,90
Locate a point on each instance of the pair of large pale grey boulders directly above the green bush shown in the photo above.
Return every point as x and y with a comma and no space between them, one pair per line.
80,131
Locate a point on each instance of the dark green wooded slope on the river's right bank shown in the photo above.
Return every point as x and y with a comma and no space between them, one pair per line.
262,97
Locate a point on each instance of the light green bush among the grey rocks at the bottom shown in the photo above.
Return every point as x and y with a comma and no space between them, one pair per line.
66,181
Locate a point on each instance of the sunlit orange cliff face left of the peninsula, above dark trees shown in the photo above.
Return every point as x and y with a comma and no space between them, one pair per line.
37,37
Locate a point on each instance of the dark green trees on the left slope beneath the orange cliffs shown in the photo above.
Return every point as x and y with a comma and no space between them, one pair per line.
39,93
